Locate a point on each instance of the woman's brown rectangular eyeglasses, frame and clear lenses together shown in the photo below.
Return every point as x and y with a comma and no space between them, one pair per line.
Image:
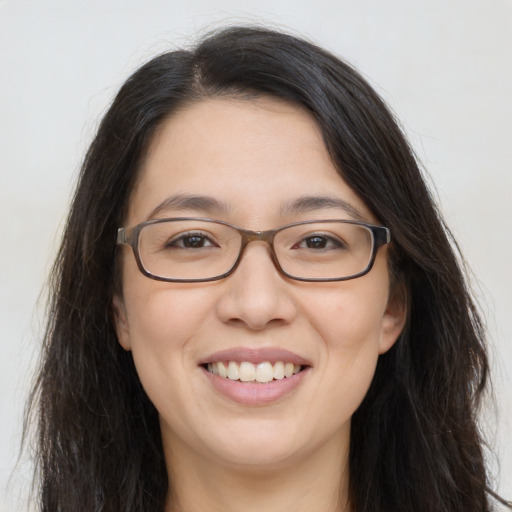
191,250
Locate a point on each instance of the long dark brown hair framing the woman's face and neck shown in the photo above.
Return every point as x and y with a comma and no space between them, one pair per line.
415,441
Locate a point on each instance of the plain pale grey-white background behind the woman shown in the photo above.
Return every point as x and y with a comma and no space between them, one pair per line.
444,66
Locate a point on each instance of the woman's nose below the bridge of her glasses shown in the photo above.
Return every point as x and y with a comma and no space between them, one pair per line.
256,294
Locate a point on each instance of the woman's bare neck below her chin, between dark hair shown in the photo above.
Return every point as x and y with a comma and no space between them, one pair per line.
318,482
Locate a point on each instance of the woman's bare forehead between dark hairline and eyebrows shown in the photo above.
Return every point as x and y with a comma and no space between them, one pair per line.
253,156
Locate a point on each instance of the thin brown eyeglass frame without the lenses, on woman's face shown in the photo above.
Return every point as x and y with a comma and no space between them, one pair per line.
381,236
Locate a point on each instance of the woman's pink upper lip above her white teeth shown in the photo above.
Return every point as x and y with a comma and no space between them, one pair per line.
255,356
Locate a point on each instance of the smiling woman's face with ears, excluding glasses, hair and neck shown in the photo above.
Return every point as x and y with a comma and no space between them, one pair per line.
253,159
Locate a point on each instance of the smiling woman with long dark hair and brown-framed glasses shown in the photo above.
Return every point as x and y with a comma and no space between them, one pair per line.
290,327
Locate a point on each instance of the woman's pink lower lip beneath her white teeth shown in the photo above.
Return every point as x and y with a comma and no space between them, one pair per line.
249,393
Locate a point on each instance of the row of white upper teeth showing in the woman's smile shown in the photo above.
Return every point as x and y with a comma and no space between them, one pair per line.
245,371
